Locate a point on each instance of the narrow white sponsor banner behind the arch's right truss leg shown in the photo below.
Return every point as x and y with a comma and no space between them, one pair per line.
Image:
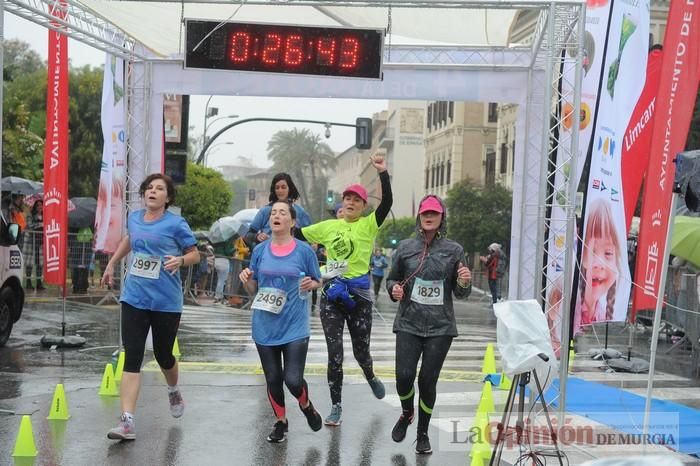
596,28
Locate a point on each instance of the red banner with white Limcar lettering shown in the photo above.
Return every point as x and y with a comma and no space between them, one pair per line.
635,144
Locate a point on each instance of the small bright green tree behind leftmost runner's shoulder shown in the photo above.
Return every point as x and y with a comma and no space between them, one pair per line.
204,198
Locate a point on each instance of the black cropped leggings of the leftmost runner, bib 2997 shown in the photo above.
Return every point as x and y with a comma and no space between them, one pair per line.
135,325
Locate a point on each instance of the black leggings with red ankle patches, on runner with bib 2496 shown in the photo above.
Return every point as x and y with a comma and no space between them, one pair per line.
292,374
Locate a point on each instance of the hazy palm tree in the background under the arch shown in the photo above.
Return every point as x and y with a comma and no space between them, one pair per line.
297,152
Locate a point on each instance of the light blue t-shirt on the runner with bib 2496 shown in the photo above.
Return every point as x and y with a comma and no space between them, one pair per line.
282,273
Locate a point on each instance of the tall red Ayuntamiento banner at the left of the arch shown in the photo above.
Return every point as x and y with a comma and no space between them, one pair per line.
56,157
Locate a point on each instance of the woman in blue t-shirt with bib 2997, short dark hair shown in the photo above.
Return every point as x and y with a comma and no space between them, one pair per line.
160,242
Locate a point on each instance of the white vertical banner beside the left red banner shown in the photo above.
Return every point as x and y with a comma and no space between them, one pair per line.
110,197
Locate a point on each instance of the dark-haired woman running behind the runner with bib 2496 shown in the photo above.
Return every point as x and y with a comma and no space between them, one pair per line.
282,188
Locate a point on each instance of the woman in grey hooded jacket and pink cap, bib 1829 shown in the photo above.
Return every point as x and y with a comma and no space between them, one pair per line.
426,271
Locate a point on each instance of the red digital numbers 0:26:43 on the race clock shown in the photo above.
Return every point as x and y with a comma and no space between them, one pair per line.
294,50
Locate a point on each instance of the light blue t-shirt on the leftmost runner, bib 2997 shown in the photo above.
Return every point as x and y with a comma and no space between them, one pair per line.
170,235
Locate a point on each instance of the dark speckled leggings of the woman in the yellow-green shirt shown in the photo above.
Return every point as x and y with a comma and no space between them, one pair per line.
333,318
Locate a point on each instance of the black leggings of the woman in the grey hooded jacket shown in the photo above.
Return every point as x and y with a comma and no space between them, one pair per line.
408,350
